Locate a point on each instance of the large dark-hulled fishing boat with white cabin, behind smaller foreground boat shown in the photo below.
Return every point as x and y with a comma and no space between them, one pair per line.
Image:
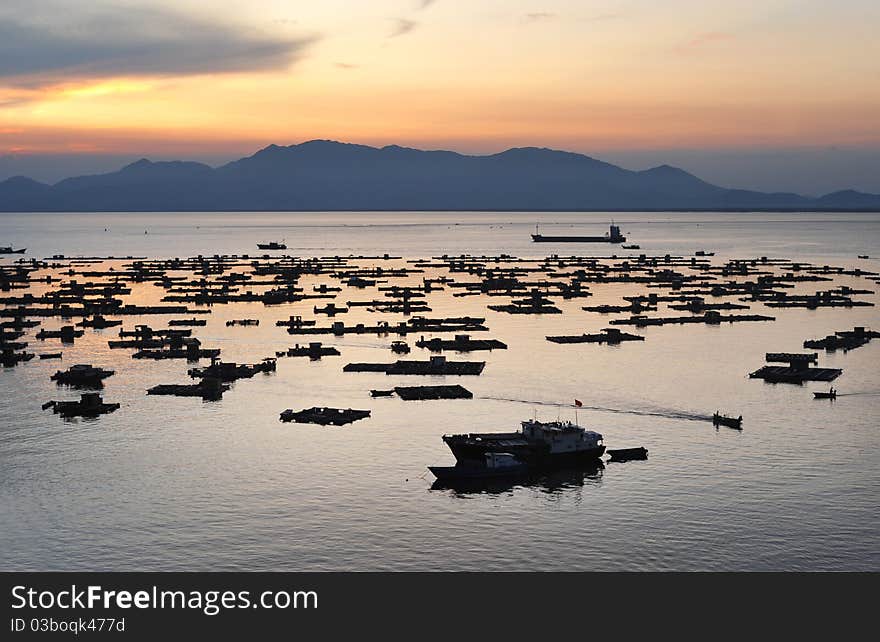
538,444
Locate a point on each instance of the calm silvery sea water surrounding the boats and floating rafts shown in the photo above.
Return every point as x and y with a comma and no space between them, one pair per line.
170,483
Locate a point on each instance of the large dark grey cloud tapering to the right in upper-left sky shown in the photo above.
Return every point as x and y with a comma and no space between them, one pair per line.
44,41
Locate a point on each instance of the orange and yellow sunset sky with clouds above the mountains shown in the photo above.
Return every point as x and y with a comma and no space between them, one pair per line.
713,86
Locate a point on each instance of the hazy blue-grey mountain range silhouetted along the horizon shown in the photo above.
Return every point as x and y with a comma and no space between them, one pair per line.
328,175
